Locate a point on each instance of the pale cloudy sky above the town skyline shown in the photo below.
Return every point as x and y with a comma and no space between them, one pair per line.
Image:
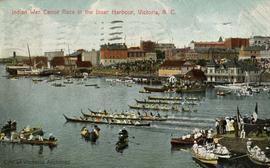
186,20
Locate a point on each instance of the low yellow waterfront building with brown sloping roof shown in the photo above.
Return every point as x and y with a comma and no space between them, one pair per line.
175,67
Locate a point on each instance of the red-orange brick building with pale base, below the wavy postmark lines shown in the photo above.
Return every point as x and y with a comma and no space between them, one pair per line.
113,53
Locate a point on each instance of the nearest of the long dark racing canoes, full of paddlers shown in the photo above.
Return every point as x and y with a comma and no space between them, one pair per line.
86,120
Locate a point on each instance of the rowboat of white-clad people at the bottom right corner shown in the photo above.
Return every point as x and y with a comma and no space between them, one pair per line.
256,155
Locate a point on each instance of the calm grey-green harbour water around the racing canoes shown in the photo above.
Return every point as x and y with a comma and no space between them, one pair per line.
43,105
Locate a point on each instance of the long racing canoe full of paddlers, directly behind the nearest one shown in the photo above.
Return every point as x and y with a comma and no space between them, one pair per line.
124,117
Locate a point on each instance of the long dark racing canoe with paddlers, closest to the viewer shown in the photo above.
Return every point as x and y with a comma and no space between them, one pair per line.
108,121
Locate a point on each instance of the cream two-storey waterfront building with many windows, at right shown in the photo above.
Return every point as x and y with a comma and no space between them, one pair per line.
231,72
